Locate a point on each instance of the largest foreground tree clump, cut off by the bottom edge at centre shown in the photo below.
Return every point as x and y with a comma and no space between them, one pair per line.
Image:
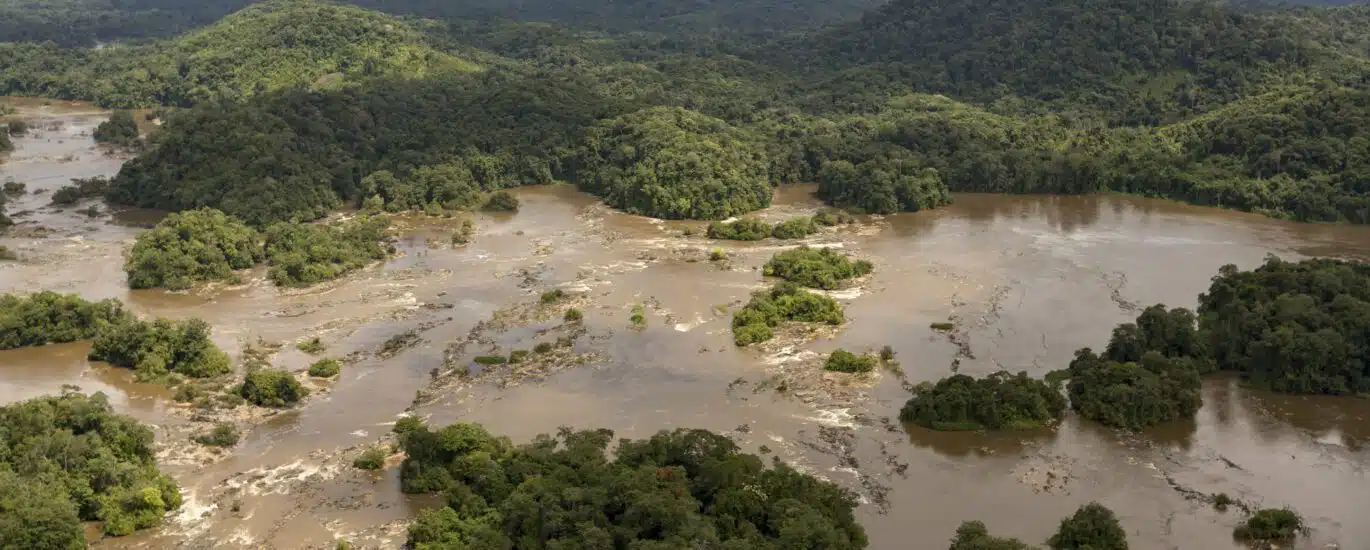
675,490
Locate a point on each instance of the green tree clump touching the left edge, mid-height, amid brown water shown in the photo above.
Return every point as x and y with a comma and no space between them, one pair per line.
49,318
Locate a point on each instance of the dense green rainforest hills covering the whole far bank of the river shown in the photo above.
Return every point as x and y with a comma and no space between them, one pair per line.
291,105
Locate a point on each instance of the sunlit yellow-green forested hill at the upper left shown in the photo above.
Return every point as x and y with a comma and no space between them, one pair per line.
269,46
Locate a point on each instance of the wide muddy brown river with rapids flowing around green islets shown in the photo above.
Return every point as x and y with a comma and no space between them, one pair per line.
1028,280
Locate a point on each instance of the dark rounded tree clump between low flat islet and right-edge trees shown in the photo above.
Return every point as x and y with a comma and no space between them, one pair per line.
1134,396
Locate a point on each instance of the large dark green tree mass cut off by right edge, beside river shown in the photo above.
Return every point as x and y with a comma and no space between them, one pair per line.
1294,327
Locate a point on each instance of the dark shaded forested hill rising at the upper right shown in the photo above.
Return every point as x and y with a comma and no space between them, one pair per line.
1143,62
